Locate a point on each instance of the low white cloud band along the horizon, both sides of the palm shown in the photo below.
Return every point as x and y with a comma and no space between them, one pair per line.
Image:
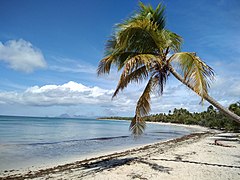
74,95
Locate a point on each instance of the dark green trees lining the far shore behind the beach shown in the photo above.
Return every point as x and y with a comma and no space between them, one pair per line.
211,118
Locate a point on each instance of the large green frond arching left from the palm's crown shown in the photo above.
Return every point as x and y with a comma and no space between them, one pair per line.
136,39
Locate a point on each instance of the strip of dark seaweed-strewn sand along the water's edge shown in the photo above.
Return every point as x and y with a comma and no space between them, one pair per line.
37,173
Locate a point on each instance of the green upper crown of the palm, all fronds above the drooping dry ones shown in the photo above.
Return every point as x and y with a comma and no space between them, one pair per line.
139,35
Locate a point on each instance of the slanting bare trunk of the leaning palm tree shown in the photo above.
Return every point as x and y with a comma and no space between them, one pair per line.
208,98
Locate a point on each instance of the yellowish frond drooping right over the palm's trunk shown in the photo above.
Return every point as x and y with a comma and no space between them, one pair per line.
195,72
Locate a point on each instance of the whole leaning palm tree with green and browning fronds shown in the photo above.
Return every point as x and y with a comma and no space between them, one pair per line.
143,49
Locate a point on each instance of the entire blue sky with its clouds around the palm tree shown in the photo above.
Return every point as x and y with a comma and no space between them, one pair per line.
49,52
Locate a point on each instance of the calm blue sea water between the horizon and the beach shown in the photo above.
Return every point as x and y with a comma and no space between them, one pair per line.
38,141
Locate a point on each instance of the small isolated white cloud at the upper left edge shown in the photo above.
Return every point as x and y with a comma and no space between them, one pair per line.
21,55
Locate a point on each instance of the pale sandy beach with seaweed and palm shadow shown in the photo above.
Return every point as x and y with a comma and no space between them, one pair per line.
195,156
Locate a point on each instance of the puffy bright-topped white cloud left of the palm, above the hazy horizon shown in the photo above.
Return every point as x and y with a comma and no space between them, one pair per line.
70,93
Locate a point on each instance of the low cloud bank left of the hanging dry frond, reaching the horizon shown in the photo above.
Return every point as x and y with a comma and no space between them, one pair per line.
71,95
